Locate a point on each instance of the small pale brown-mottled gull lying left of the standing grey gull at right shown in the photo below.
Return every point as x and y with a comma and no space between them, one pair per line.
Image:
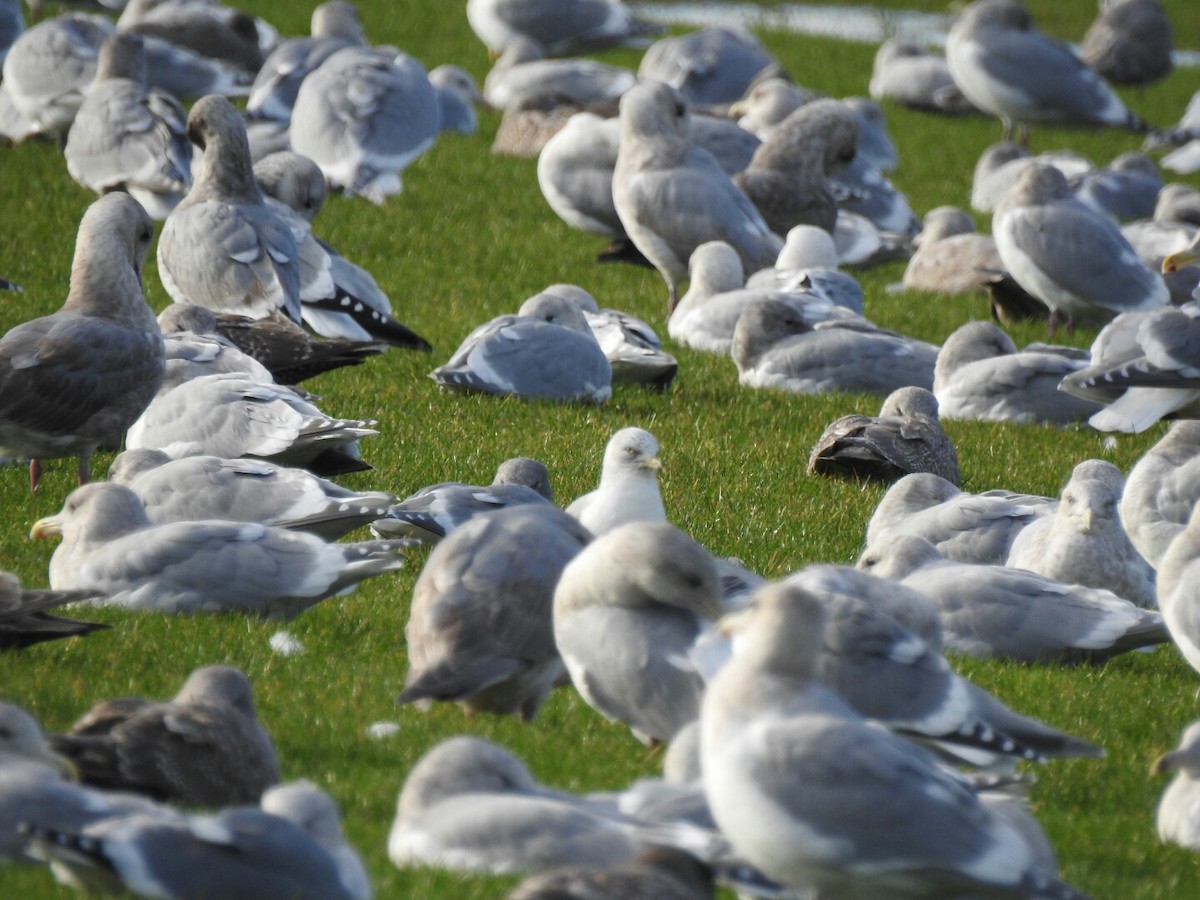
950,257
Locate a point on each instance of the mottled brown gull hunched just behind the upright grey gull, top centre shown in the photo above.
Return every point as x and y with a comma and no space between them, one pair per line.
787,177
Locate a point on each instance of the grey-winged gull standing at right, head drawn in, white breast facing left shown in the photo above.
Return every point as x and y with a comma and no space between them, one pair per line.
1067,255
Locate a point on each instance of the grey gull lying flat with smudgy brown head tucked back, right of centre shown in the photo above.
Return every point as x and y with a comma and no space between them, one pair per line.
776,347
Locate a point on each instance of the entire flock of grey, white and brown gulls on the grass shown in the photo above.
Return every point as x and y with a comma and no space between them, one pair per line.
819,741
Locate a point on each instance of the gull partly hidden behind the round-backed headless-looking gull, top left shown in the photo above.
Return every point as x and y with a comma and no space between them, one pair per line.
335,26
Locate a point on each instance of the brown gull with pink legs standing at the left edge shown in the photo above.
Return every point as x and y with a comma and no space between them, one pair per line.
77,379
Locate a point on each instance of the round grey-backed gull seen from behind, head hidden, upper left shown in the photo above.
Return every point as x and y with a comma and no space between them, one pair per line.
364,116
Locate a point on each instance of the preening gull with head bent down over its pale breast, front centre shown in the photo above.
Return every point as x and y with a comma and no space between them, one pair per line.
628,611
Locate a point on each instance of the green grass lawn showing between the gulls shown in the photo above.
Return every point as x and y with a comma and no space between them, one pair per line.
471,238
